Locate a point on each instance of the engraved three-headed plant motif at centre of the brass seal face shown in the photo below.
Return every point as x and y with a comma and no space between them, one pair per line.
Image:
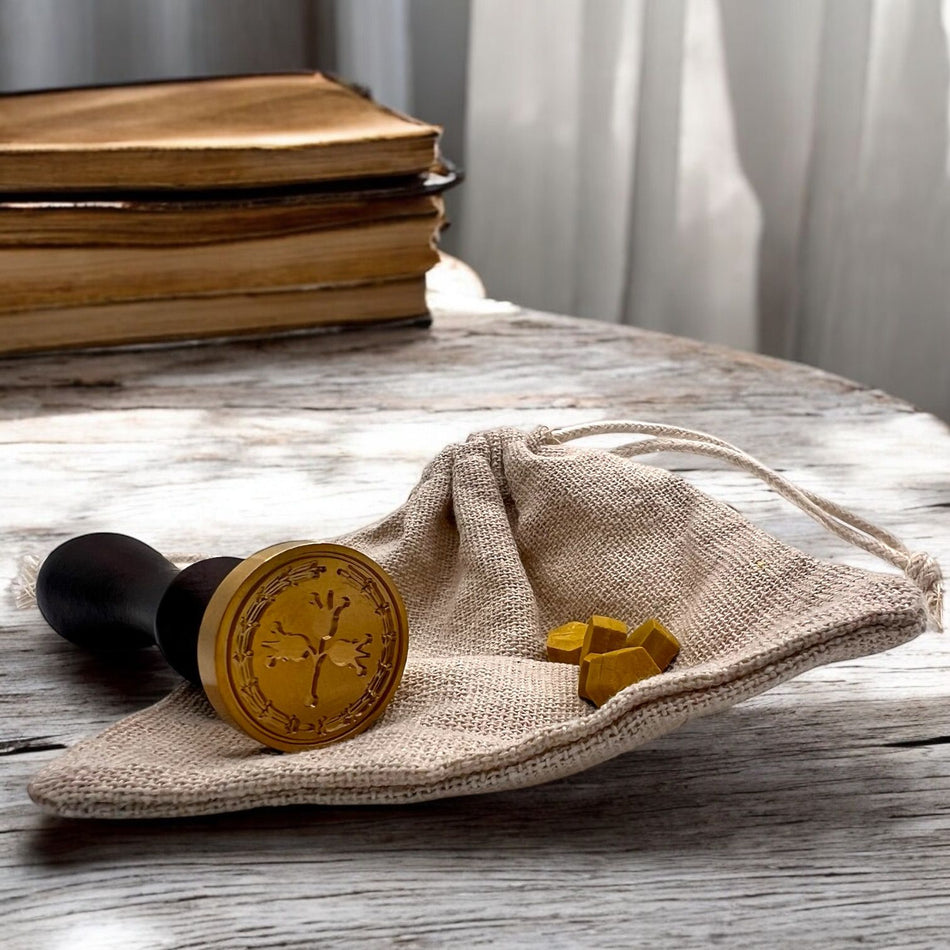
286,646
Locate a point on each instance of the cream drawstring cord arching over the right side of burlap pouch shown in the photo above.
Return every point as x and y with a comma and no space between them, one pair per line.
918,566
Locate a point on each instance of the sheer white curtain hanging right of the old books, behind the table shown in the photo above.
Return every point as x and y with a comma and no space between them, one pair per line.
770,174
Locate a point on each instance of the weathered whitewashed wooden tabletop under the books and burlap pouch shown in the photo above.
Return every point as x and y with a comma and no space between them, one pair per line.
817,814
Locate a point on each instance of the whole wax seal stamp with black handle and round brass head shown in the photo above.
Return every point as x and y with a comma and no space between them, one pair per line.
299,645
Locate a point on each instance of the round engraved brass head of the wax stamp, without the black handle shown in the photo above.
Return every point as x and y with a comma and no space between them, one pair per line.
303,644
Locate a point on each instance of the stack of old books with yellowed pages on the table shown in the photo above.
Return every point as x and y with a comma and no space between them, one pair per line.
220,206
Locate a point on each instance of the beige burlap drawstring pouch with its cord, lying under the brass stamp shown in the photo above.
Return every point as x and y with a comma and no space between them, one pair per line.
507,535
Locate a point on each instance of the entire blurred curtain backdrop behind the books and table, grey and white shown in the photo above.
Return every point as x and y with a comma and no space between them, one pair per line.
769,174
